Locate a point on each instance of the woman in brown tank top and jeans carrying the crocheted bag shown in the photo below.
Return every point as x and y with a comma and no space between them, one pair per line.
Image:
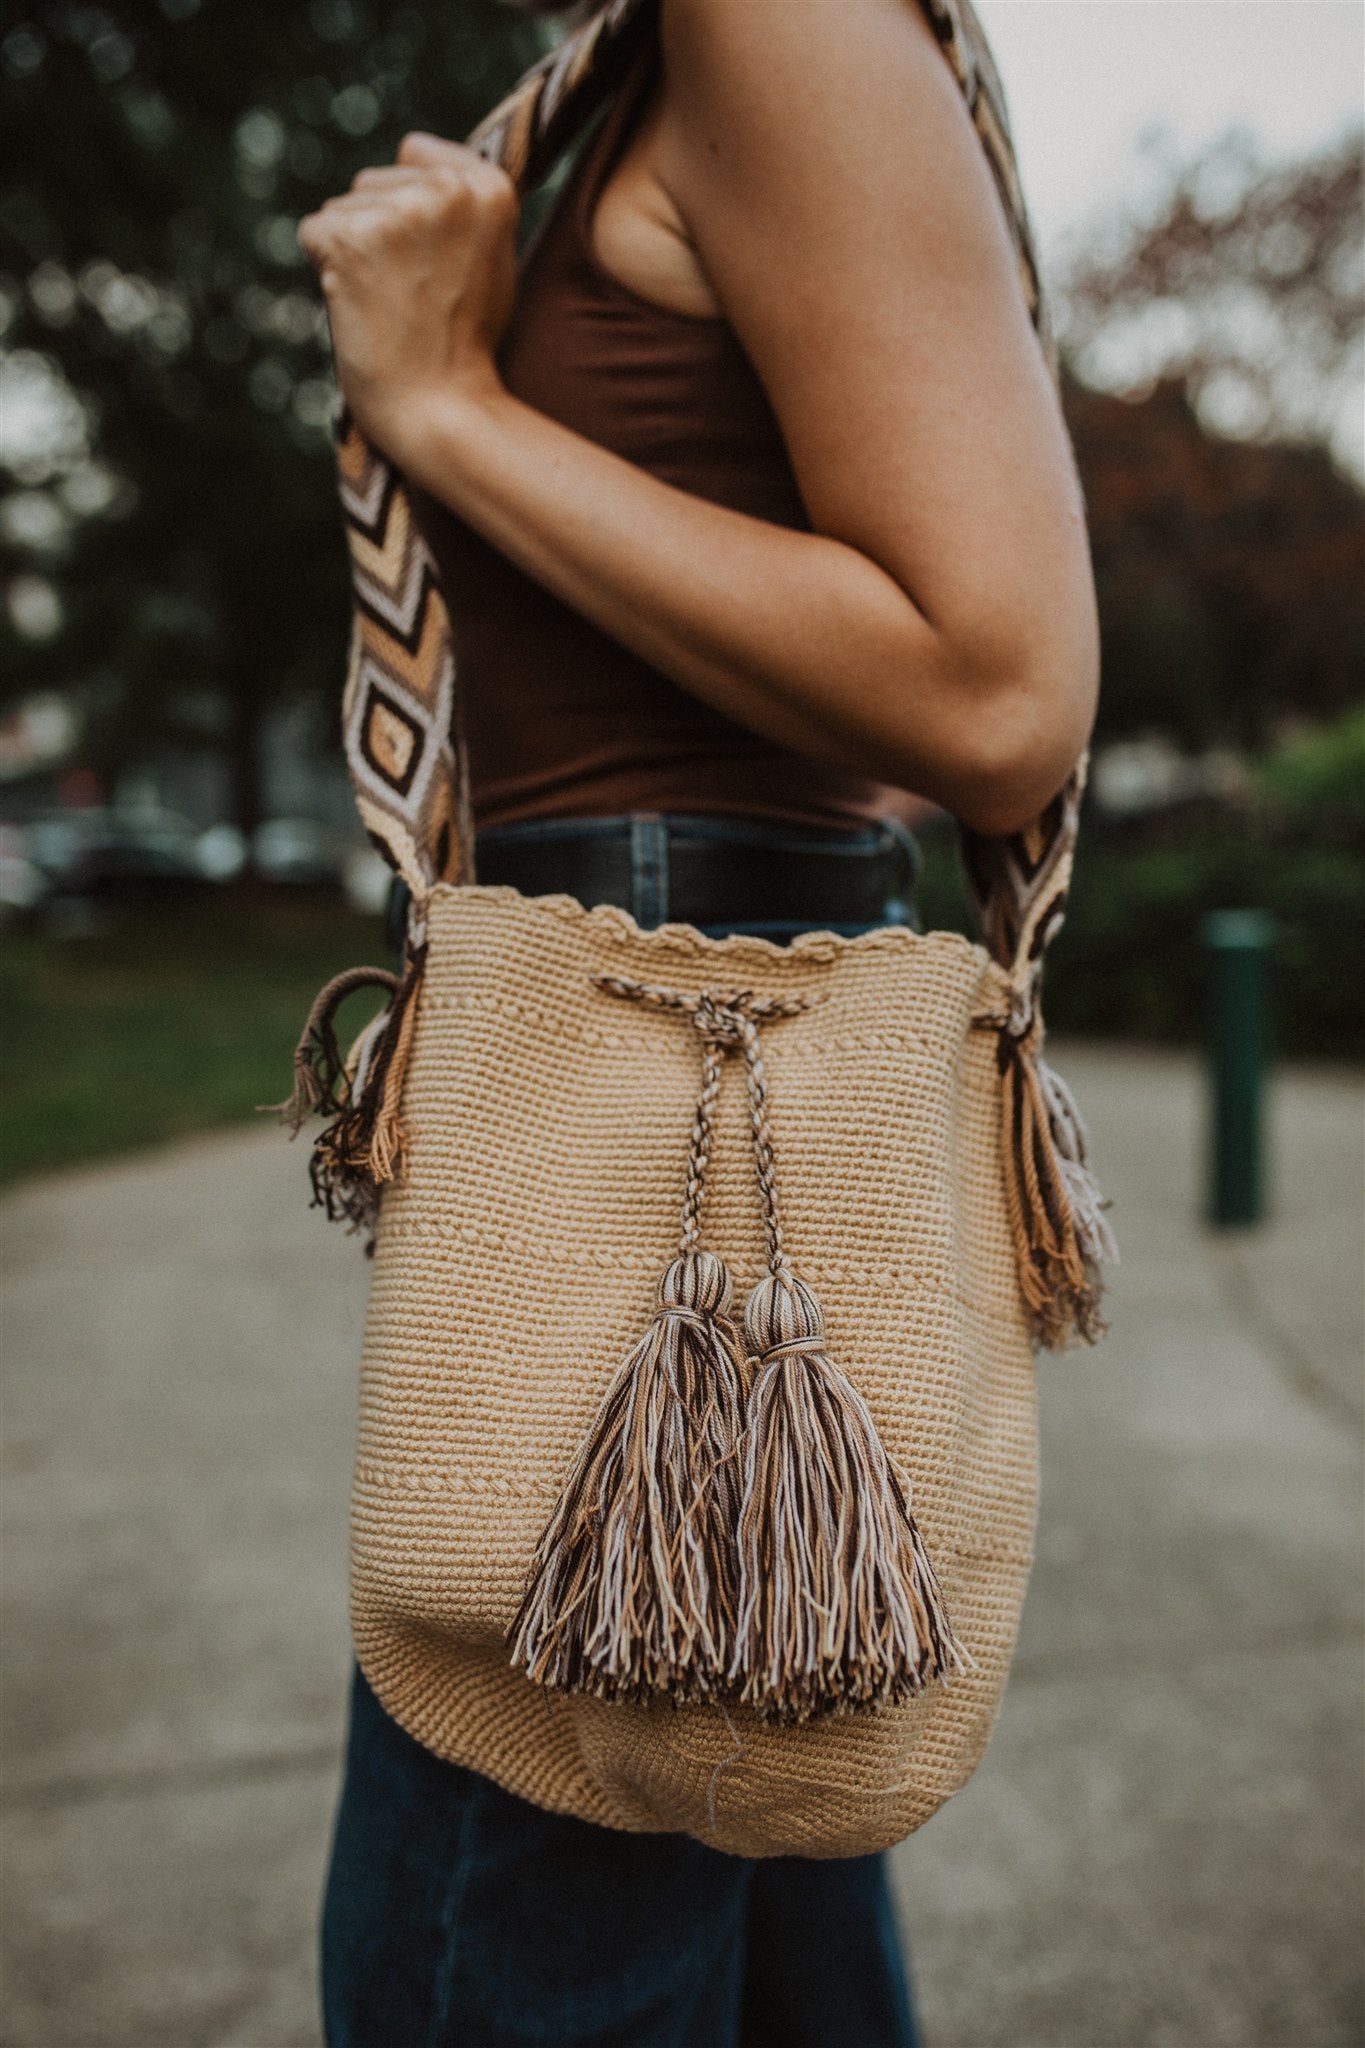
756,507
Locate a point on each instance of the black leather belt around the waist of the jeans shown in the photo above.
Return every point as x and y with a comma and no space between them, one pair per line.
658,869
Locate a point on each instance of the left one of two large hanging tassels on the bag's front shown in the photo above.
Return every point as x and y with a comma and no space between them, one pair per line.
633,1588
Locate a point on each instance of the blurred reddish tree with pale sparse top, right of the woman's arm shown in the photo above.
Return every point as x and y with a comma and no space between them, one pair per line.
1215,351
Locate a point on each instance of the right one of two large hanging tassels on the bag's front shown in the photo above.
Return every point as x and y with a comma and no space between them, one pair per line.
840,1607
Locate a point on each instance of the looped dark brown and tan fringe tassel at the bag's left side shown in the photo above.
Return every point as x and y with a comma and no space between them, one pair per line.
363,1146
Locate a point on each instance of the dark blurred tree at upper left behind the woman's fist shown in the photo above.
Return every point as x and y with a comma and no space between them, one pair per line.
173,542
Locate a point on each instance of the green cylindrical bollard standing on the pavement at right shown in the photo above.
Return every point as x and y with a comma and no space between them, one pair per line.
1239,945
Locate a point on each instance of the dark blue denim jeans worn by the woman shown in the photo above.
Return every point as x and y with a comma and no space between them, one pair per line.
459,1916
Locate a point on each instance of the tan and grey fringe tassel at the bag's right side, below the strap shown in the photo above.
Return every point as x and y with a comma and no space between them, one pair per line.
1055,1205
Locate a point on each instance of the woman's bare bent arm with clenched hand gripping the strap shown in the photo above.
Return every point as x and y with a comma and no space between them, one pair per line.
938,626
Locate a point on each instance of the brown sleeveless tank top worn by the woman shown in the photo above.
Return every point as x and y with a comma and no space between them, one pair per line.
562,718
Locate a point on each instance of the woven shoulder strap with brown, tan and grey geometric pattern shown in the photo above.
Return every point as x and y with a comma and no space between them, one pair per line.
402,724
